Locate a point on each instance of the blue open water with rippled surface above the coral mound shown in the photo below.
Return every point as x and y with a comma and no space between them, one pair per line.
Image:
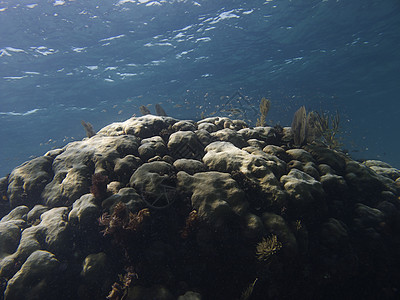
64,61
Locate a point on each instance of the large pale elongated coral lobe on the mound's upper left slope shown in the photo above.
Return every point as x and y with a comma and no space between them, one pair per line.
79,160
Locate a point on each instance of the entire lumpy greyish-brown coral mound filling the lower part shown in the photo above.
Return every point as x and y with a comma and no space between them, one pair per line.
158,208
